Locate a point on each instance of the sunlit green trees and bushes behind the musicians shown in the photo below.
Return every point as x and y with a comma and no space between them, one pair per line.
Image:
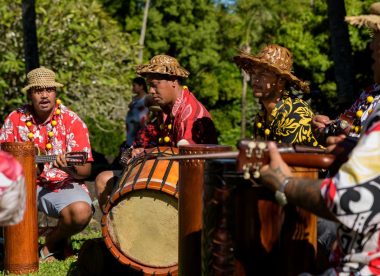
92,45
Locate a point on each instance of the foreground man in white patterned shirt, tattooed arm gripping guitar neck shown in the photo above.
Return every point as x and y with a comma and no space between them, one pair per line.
349,198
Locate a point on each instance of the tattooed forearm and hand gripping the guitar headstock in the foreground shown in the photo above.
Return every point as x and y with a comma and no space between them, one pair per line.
304,193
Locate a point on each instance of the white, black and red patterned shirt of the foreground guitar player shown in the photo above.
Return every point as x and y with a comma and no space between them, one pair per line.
353,196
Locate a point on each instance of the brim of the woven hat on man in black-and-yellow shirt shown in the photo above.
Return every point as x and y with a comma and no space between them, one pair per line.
248,62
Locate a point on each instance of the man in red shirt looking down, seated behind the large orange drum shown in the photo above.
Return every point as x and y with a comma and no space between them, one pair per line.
183,120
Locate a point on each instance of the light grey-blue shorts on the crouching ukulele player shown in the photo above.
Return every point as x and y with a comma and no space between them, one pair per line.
52,202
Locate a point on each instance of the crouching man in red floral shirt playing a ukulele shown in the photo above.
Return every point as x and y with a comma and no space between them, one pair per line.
55,129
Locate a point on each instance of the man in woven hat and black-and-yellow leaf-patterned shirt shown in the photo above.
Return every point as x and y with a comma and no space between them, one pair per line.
283,117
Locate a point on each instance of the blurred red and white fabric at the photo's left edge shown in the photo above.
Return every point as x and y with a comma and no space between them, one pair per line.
12,190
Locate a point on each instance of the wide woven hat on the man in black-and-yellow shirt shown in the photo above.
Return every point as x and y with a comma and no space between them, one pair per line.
274,58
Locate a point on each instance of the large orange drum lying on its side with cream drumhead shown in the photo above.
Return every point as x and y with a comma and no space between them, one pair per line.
140,224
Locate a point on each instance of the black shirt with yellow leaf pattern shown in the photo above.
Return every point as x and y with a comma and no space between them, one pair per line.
290,122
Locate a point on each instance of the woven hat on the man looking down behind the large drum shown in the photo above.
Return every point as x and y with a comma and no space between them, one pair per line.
164,65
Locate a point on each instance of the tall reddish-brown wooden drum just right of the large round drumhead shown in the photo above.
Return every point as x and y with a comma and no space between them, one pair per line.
190,207
